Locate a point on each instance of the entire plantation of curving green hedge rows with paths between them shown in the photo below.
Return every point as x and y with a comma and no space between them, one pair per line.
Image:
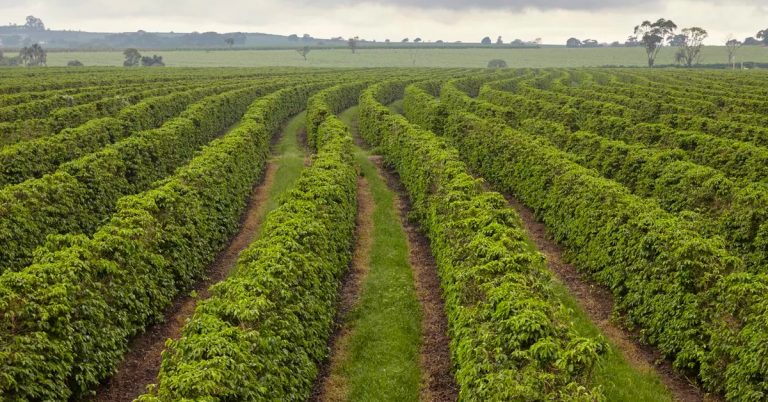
237,234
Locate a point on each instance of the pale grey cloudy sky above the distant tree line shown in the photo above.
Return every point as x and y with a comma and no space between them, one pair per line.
451,20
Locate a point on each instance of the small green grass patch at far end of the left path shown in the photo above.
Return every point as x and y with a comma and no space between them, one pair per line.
289,157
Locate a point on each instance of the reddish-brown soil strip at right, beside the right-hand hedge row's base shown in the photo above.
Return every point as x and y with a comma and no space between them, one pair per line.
597,301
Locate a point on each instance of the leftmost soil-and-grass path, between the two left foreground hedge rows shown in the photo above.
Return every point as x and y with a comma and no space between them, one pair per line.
142,362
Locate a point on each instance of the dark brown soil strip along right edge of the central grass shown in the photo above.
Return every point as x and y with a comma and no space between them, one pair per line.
438,382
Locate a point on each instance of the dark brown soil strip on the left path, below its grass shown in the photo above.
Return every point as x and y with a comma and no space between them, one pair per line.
142,363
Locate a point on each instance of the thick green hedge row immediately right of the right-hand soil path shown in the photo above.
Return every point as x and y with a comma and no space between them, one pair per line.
685,293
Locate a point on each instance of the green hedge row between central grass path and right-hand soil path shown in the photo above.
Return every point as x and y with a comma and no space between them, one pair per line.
510,337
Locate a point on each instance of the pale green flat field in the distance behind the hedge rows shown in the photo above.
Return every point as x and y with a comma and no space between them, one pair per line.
544,57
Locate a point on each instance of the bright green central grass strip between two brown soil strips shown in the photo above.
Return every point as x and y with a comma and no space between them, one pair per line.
382,360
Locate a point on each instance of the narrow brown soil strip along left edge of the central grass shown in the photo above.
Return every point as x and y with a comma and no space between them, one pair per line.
331,385
